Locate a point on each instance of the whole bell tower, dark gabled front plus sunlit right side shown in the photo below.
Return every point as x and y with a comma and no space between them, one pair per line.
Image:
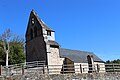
40,42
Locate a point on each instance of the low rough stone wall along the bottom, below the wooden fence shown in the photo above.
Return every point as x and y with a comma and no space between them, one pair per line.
93,76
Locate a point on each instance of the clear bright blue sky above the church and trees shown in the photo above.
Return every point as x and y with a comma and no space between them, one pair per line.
87,25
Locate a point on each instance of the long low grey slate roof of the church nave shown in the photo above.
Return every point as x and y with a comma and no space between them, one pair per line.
78,56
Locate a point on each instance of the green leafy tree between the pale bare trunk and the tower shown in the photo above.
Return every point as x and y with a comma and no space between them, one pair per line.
16,53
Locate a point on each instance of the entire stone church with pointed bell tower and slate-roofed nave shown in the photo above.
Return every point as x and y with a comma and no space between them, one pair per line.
42,46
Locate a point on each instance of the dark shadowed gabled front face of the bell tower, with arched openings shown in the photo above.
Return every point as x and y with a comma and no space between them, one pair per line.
35,44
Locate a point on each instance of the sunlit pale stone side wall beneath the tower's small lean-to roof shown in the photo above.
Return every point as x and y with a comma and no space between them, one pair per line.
54,60
